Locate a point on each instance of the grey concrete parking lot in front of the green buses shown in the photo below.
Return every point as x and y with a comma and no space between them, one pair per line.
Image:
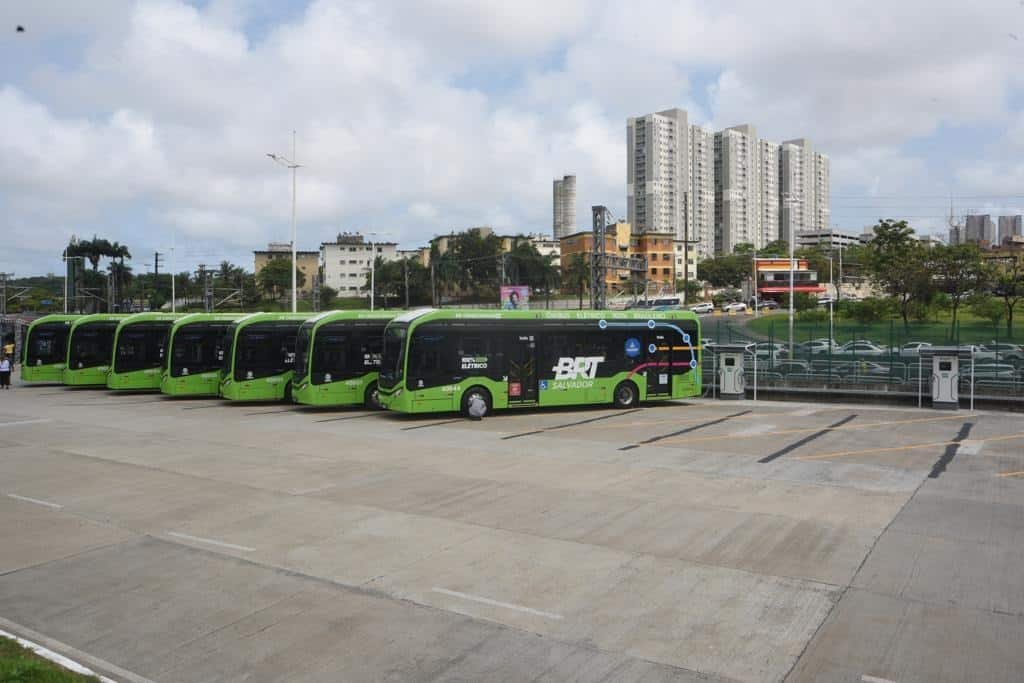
199,541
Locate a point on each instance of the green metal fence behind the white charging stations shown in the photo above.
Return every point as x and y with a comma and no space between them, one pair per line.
859,360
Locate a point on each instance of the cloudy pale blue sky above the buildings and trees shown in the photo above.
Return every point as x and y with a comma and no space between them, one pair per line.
139,119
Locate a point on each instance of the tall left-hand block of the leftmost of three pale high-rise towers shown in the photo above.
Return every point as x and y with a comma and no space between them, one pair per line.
658,179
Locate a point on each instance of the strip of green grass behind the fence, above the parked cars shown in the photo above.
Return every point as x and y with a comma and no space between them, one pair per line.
970,331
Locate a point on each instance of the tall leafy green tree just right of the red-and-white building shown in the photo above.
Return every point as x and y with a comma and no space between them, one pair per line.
898,262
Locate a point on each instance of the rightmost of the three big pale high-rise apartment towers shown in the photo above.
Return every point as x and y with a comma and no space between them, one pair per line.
803,189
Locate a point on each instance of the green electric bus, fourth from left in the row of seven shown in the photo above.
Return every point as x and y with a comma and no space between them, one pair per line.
196,350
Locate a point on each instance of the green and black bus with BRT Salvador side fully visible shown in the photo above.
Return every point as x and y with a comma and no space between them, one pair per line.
443,360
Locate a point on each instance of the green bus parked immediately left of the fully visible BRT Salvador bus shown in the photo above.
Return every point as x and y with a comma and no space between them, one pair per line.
337,357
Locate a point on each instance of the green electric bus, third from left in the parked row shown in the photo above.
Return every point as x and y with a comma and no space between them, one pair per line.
140,345
